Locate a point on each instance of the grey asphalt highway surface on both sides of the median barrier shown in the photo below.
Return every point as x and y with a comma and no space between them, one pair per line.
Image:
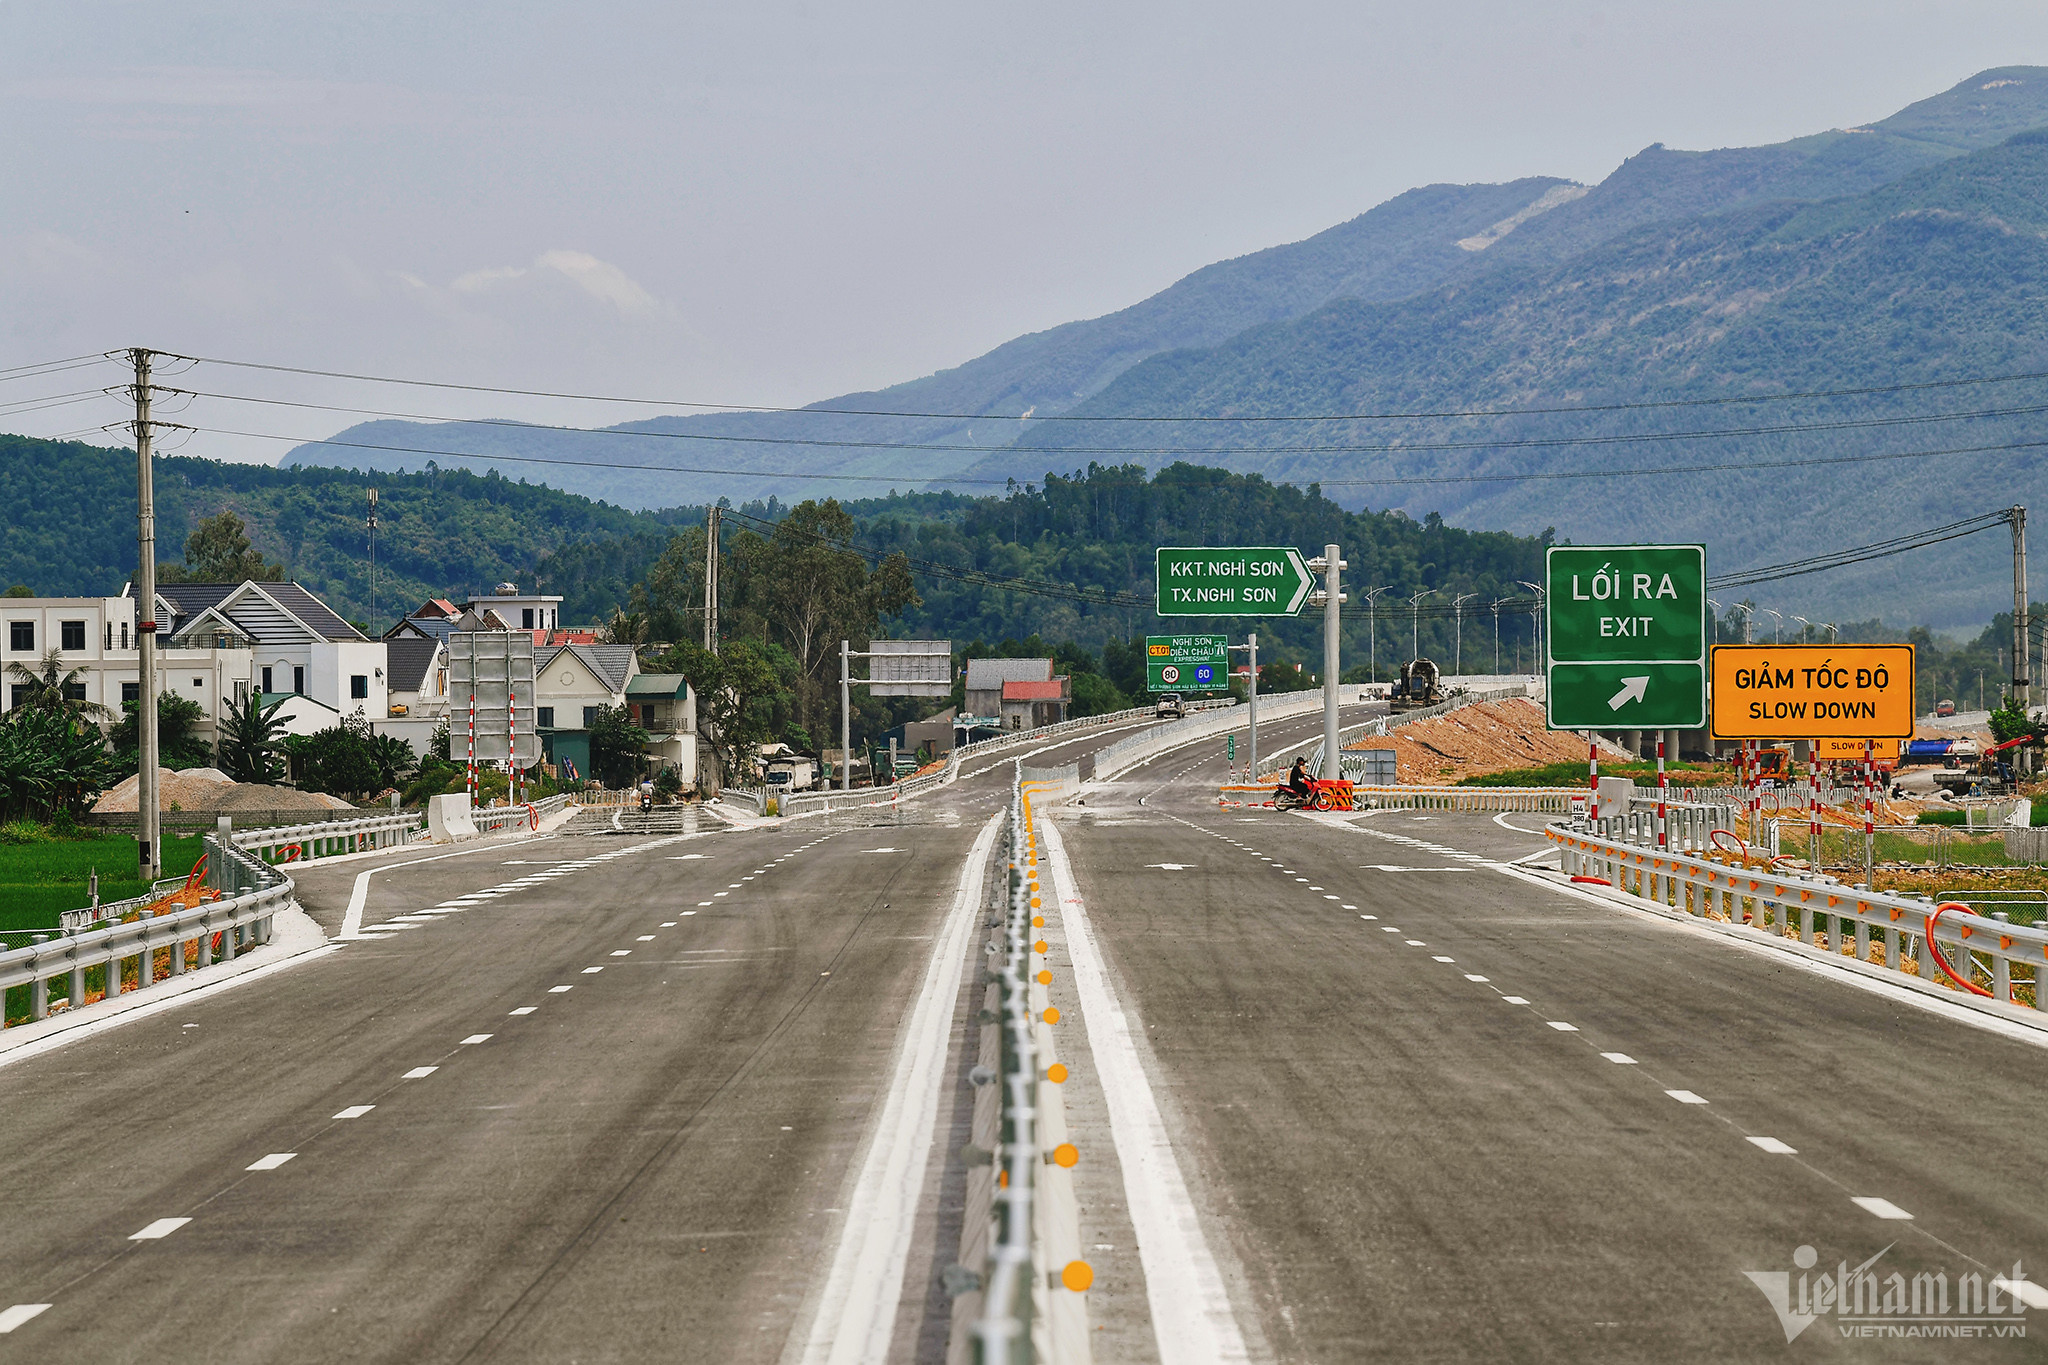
601,1098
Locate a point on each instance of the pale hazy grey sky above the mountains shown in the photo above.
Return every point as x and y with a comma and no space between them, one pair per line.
775,204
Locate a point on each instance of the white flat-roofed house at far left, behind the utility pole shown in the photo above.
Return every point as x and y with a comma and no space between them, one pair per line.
97,635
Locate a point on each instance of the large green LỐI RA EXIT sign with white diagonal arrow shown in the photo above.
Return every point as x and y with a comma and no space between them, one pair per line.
1627,629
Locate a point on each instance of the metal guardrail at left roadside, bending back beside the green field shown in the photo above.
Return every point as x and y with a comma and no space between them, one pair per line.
157,946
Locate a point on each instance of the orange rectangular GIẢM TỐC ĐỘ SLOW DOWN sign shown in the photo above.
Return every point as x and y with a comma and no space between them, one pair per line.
1814,691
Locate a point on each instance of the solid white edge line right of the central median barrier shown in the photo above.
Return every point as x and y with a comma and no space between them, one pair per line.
1185,1290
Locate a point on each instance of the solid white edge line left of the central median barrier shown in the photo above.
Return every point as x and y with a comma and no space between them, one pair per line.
857,1307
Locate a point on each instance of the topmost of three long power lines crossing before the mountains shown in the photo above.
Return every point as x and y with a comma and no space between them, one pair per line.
984,416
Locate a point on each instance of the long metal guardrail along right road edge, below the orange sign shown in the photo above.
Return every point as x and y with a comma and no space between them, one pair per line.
1998,959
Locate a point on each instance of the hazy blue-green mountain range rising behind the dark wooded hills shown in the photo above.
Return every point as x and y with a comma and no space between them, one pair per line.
1902,253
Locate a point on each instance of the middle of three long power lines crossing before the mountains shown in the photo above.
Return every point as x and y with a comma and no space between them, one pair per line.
1521,443
